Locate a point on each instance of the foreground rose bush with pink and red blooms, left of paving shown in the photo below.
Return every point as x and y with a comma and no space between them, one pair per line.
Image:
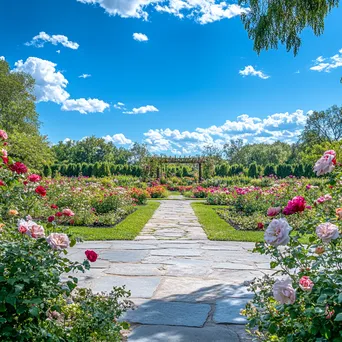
39,300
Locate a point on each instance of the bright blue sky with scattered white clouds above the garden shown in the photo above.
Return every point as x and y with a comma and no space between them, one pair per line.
189,78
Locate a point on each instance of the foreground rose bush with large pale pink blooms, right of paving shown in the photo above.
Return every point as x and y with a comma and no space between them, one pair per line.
302,299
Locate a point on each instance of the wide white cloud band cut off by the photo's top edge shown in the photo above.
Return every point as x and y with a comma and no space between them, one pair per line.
203,11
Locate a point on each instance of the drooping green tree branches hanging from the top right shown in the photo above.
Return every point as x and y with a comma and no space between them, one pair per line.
269,22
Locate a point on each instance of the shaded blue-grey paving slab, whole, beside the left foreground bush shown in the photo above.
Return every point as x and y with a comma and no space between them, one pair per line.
169,313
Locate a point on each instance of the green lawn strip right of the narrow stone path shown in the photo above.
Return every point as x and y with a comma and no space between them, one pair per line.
218,229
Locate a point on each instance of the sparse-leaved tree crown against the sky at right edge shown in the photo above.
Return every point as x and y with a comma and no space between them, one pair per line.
323,126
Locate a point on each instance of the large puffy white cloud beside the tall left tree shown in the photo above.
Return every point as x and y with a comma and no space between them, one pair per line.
50,83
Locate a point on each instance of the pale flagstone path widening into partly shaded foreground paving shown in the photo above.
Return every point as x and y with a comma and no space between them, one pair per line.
186,288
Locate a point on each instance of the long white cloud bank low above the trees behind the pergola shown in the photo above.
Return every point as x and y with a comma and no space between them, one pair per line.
279,126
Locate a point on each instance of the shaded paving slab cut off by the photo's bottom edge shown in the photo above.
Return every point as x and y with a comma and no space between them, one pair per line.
162,333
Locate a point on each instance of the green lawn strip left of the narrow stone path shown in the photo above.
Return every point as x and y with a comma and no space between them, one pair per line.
128,229
